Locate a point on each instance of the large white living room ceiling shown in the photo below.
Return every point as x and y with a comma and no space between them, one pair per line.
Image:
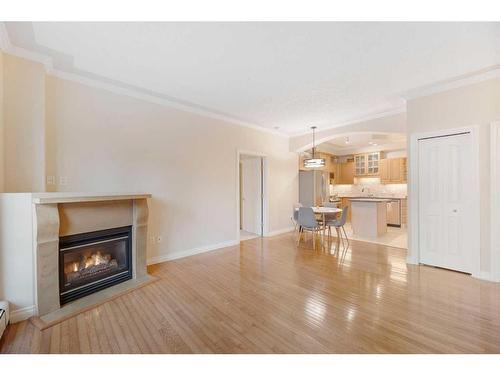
286,75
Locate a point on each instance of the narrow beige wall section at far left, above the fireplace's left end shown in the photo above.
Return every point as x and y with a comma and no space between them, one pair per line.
24,118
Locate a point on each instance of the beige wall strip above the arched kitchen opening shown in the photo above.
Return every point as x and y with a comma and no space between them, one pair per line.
395,123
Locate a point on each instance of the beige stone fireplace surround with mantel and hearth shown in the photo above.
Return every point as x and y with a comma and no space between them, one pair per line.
61,214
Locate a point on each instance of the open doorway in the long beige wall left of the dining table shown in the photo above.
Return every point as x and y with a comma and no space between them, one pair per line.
251,193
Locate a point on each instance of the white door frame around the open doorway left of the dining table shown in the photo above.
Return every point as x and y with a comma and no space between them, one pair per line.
265,194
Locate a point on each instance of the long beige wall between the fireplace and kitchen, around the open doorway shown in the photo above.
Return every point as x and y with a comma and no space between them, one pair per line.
102,141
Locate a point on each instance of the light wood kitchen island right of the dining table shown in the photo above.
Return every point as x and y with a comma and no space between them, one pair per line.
368,216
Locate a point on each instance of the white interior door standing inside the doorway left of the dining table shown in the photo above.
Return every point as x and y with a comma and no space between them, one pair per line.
251,195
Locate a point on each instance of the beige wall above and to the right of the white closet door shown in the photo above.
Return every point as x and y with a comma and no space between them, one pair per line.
477,104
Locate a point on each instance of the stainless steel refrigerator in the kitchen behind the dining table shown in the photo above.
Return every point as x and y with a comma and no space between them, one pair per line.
314,187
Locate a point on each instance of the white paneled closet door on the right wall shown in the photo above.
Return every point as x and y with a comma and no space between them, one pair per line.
445,202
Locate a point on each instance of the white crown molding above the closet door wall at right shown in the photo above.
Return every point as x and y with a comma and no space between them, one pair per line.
453,83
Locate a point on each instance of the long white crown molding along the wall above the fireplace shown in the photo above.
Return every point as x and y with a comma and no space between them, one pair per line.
47,62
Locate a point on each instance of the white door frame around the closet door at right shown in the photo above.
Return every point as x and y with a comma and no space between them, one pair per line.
413,256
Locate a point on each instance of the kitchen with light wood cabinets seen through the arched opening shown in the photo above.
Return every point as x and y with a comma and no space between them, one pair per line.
366,173
